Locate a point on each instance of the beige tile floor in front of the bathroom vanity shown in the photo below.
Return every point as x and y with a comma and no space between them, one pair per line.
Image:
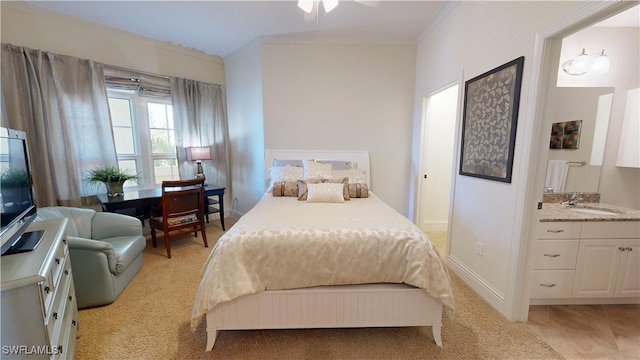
589,331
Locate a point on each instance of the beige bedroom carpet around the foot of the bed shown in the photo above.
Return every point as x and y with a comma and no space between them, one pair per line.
150,320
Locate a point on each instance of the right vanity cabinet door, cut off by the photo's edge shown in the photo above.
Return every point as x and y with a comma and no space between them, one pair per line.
628,284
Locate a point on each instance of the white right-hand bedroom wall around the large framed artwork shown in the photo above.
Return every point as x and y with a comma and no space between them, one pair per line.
474,38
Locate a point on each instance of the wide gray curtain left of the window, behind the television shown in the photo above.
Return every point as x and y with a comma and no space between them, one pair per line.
61,103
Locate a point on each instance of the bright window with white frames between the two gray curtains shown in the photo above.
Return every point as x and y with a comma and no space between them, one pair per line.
144,136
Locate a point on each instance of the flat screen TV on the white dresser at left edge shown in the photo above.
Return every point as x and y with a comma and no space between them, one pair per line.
17,203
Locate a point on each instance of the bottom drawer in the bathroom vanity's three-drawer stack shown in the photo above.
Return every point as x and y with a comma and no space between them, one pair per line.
552,284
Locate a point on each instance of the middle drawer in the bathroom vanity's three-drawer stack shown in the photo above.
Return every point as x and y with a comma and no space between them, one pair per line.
556,254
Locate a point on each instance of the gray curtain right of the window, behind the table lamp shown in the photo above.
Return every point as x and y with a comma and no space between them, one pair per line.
200,119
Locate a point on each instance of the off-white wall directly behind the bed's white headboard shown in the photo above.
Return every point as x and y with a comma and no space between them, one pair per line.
344,97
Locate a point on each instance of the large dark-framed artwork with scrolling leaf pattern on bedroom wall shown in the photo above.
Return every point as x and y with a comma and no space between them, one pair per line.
489,121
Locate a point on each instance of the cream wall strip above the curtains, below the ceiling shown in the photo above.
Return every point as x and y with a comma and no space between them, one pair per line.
35,28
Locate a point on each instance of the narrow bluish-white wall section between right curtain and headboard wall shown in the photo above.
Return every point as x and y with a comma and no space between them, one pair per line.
246,129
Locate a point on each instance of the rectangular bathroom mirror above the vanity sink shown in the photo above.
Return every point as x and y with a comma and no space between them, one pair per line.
577,168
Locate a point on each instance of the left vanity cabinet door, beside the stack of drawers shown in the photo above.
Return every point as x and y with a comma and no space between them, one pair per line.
597,268
